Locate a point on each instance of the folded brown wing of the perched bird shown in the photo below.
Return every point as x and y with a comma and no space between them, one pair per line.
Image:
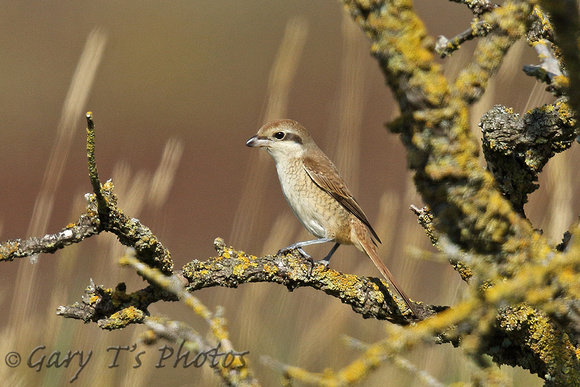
324,174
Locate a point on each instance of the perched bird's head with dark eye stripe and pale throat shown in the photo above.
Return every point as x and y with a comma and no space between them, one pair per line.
283,139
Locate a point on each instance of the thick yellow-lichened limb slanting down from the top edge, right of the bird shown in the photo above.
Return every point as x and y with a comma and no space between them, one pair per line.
464,200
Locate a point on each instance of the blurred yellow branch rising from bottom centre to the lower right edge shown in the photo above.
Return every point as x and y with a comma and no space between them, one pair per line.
523,336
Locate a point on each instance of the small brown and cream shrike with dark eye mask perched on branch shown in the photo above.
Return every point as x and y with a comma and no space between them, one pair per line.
318,195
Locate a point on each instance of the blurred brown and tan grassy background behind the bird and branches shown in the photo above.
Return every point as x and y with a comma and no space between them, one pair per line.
196,74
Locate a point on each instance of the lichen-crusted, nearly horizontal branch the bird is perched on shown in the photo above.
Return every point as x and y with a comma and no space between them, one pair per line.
114,308
